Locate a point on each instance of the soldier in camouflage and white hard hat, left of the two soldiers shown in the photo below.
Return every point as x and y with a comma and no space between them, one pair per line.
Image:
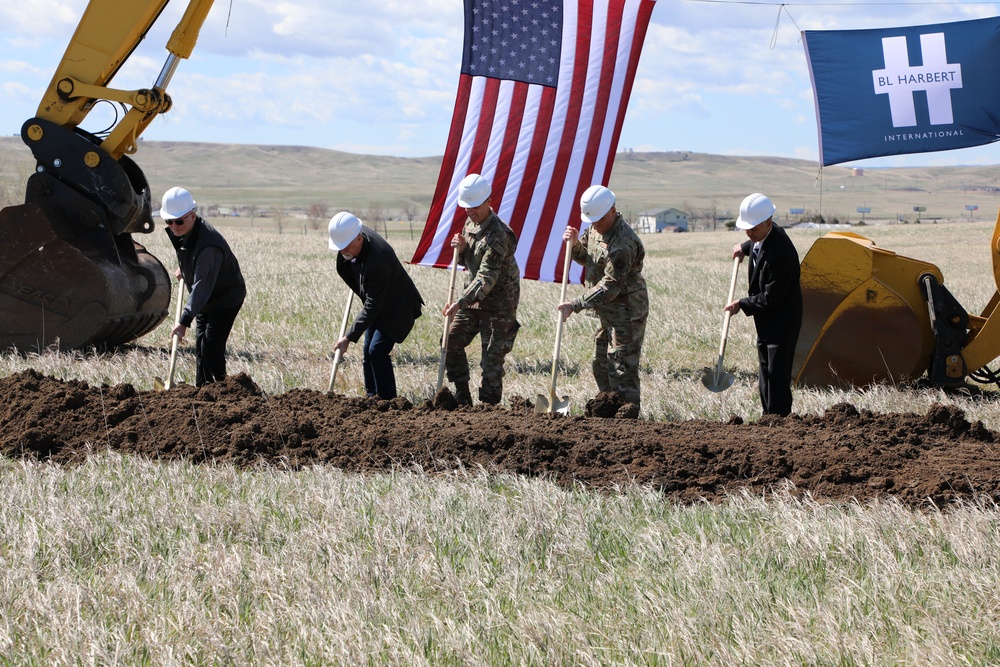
488,305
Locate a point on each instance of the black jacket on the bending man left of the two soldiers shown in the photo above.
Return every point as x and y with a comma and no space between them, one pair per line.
391,301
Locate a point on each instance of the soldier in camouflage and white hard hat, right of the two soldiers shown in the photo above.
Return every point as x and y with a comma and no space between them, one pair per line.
612,255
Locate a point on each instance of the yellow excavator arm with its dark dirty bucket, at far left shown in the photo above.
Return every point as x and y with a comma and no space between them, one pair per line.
70,272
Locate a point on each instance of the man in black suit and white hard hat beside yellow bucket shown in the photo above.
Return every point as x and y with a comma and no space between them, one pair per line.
774,300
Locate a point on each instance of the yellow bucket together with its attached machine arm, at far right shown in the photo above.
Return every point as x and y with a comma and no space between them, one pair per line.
872,316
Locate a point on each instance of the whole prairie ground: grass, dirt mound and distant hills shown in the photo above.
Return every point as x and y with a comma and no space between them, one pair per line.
264,521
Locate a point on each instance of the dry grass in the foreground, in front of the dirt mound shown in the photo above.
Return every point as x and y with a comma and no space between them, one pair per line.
123,561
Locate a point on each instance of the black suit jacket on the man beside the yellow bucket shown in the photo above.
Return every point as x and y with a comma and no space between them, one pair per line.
775,295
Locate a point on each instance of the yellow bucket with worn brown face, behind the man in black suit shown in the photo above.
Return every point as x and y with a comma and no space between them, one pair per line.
865,317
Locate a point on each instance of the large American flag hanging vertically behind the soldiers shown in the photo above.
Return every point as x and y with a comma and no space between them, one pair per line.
541,100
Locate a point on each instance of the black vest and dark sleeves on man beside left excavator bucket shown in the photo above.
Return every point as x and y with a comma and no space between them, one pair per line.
226,290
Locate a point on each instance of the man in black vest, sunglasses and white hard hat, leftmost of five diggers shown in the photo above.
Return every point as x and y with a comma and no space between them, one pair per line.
214,281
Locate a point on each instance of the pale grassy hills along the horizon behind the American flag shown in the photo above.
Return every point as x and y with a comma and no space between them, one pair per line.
296,178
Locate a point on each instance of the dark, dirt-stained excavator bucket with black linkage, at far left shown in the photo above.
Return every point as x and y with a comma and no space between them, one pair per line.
70,273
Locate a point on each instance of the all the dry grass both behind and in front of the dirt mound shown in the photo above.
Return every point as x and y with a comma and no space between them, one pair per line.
124,561
